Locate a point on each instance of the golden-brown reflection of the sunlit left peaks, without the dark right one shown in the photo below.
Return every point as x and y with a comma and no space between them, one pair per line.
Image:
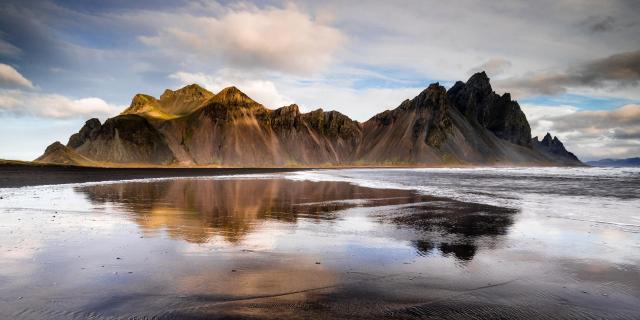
196,210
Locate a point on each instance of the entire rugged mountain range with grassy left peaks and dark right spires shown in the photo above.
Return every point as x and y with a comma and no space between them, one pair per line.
467,125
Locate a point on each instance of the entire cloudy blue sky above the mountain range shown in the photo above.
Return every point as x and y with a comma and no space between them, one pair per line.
573,65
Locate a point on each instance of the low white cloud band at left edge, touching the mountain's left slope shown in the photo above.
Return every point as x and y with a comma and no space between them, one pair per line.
16,102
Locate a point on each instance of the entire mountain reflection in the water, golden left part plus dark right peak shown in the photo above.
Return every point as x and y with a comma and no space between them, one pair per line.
198,210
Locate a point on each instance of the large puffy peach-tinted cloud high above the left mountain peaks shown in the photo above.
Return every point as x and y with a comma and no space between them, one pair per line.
285,40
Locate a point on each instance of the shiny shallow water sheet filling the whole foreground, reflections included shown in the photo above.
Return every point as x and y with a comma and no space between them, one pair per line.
357,243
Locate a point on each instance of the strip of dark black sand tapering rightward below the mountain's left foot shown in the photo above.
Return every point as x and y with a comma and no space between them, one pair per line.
21,175
